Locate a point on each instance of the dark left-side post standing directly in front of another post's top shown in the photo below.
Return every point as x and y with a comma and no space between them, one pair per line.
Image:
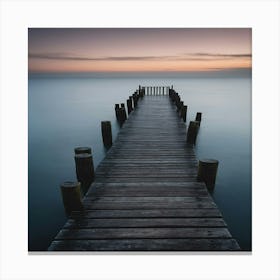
84,170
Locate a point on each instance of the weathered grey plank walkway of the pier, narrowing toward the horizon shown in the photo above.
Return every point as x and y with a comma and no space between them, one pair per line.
145,195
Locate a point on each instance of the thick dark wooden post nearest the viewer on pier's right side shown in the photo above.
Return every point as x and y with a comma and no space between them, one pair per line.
207,171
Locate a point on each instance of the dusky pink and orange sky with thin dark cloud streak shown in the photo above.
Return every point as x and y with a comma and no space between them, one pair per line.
52,50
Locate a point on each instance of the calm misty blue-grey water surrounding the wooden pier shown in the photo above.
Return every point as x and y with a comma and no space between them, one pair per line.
66,111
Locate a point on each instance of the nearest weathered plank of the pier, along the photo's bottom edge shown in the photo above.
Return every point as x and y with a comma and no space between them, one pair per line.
146,245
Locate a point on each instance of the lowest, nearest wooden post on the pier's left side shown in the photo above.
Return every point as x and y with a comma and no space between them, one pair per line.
71,196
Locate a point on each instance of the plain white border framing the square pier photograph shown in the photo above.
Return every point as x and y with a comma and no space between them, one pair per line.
262,16
